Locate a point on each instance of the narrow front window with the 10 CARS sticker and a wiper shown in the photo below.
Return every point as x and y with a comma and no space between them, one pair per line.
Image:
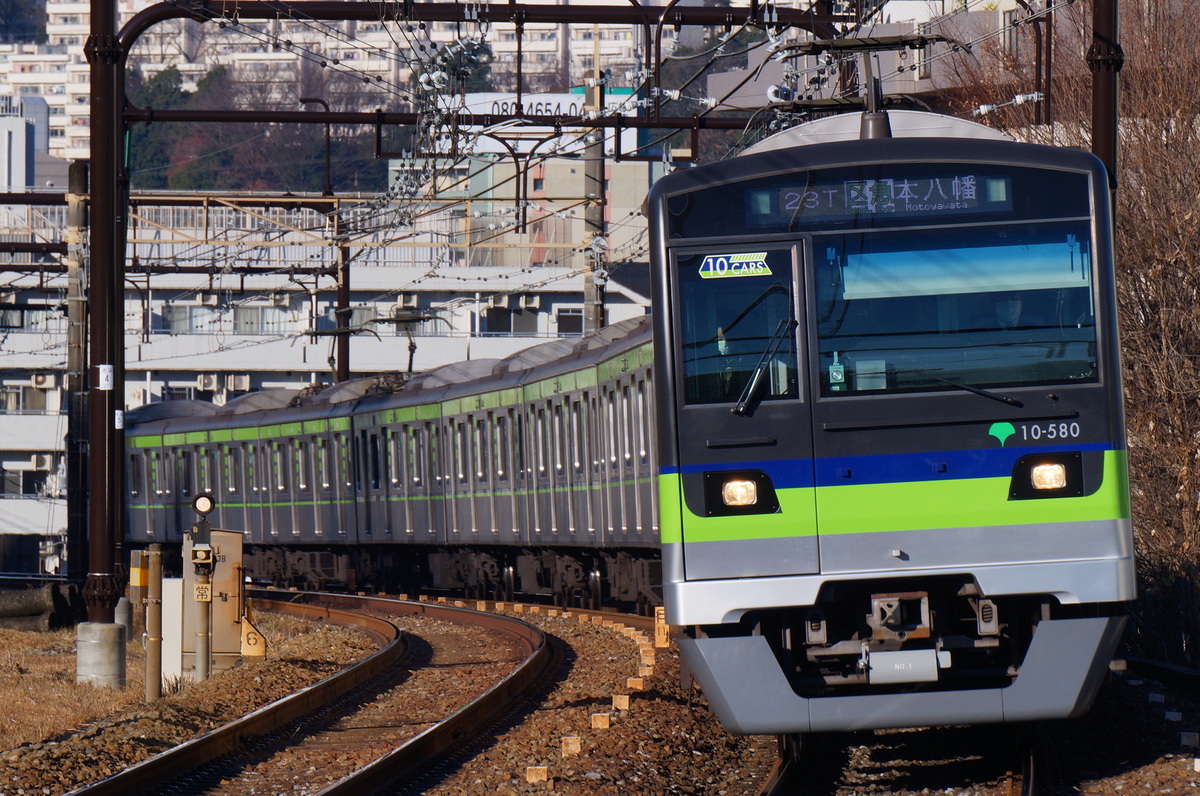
737,318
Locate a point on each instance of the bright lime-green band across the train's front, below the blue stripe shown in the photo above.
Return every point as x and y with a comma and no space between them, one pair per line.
915,506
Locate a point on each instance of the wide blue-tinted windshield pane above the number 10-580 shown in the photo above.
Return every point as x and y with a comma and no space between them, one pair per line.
937,310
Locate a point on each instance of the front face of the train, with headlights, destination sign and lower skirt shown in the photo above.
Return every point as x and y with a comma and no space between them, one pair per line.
893,469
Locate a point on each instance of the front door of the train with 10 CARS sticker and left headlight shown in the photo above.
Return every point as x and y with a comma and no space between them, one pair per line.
745,439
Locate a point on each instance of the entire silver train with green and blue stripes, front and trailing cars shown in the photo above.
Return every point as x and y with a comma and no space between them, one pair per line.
868,451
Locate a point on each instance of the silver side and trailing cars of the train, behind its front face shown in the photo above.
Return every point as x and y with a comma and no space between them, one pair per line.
527,476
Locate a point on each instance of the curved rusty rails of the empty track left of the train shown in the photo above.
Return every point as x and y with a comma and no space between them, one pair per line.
190,768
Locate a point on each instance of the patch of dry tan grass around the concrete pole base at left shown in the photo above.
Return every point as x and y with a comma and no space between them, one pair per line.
38,690
